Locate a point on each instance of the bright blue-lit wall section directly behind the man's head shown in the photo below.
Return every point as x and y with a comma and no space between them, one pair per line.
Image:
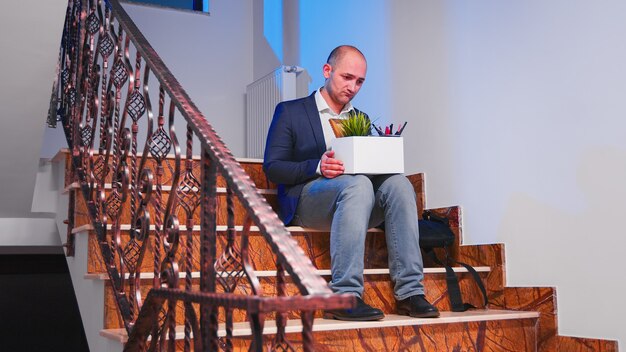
325,24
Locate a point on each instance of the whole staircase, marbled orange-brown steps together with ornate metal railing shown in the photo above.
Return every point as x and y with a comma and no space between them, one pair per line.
184,252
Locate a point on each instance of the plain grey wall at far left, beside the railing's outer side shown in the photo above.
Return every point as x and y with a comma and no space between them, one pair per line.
30,35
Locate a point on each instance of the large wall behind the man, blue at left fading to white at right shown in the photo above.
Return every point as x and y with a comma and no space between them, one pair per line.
516,112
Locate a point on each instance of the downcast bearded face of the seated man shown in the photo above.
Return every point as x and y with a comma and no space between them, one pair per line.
344,79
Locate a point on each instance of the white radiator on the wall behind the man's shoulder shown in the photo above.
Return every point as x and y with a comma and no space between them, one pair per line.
284,83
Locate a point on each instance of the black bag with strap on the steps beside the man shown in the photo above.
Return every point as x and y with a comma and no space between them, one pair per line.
435,232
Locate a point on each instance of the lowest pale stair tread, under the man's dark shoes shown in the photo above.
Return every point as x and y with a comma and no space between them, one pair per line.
390,320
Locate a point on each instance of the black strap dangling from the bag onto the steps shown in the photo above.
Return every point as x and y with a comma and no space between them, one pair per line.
452,282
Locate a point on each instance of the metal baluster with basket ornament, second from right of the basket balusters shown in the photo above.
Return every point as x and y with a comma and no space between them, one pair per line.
188,194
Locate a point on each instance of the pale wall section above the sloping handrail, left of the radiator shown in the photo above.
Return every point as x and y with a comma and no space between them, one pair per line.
210,55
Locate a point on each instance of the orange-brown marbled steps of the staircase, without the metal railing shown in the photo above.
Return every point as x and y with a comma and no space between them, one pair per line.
518,319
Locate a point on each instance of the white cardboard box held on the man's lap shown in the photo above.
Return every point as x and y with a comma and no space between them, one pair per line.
370,155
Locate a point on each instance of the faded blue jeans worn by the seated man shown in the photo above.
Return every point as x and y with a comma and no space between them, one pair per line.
350,204
